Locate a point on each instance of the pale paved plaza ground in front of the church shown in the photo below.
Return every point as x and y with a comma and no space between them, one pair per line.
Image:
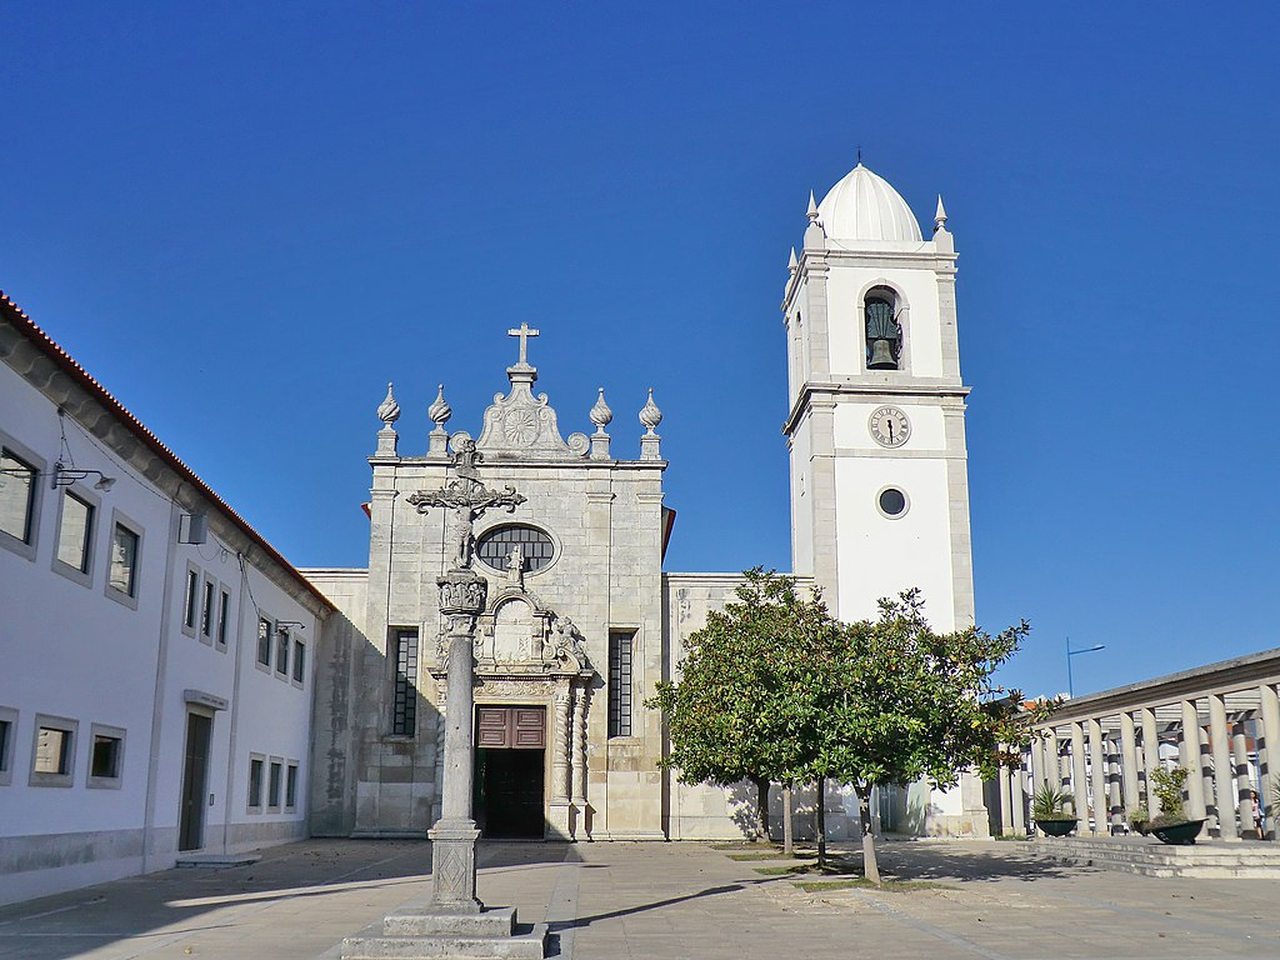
661,900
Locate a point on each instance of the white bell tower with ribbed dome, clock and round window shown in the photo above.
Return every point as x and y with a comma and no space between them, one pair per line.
880,492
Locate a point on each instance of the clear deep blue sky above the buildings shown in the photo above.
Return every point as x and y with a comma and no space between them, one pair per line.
246,220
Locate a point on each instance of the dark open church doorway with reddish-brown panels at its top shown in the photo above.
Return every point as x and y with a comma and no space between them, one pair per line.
510,771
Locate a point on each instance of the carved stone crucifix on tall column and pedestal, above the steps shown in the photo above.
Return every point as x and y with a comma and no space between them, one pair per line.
463,598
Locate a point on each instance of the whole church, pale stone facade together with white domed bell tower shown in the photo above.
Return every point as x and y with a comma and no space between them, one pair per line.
582,621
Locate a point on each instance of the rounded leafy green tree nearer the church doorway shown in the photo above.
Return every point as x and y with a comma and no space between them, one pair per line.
746,689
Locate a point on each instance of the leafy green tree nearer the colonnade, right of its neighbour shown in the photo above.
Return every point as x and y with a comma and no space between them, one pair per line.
900,703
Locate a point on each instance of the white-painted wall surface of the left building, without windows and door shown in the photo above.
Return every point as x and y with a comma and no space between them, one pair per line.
70,650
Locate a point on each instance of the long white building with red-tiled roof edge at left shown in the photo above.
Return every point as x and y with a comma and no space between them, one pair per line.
141,716
